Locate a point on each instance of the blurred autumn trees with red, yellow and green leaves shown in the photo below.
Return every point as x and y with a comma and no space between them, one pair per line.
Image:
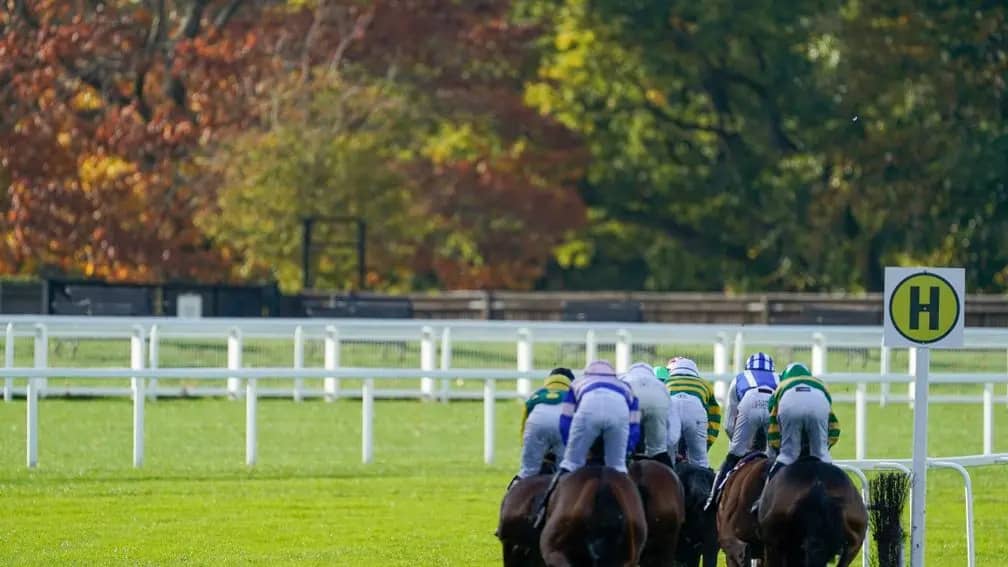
578,145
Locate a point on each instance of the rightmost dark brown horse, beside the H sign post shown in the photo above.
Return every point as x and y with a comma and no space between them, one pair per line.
811,514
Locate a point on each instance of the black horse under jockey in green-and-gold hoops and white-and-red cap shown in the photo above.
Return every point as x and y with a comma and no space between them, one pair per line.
699,536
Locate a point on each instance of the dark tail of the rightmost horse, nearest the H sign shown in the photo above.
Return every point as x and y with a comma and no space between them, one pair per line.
820,517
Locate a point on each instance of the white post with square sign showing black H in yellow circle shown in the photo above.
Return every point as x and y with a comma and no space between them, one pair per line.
925,308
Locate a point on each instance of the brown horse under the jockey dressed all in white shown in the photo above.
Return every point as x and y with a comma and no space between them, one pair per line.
665,511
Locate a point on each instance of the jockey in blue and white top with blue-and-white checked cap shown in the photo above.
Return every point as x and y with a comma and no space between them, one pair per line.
748,396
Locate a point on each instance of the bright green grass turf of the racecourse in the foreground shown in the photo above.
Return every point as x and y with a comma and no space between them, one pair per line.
427,500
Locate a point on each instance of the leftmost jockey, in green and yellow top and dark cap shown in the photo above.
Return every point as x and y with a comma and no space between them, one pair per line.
541,423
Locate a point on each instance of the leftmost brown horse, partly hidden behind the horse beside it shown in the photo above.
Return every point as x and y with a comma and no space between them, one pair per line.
520,539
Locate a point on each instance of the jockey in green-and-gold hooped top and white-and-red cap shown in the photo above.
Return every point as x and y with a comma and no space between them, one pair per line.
694,413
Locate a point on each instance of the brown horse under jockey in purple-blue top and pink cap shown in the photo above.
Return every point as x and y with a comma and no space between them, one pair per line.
595,518
